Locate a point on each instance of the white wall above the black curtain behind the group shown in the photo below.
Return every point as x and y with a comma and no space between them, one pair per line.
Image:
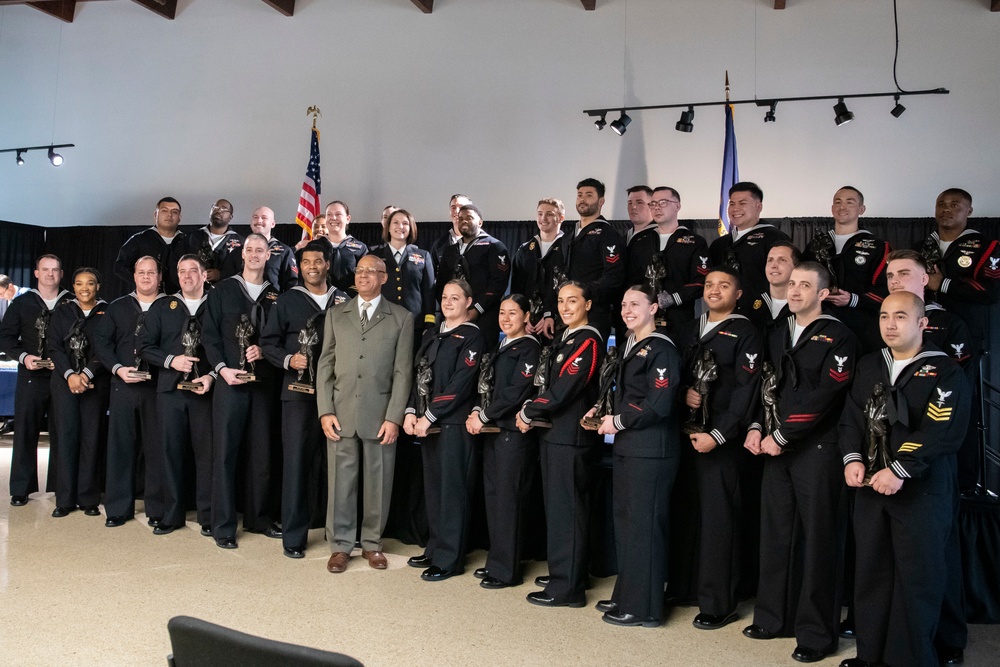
485,97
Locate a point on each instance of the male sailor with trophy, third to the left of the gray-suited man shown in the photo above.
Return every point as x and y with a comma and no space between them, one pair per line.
171,342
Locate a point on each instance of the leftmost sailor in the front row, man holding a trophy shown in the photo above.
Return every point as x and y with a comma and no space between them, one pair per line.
23,337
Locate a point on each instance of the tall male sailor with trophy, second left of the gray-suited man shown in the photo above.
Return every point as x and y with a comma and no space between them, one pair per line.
238,308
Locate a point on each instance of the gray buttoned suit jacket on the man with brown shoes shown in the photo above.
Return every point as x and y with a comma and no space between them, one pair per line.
365,378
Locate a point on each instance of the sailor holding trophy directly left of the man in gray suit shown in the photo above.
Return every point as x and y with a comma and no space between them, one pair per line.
291,340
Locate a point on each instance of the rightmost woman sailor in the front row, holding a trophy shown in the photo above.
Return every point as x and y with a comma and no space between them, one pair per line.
645,425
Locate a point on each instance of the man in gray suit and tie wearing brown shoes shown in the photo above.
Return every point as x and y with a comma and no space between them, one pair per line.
363,381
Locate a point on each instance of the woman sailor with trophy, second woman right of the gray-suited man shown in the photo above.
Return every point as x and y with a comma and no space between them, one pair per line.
506,381
